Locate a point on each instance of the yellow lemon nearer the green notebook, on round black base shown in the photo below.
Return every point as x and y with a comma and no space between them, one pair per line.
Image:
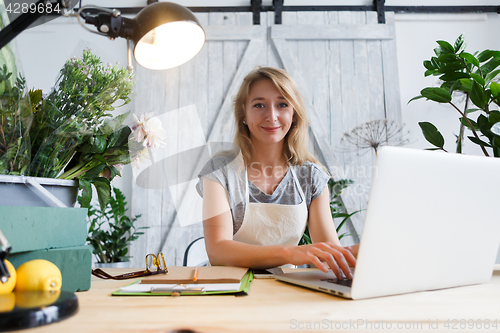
38,274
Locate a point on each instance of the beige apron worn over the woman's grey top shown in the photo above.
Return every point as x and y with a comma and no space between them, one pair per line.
273,224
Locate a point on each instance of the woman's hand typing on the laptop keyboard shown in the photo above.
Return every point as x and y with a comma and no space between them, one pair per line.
323,255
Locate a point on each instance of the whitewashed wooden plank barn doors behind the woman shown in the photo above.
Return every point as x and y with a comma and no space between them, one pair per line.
343,81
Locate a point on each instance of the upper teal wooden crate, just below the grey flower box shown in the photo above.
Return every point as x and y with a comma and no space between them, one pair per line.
38,228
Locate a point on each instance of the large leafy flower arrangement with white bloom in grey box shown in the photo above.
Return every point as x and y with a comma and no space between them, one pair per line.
70,133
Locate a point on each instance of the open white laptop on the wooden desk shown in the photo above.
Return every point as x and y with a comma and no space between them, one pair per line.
432,222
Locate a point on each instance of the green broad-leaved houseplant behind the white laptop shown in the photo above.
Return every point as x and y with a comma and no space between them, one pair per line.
473,78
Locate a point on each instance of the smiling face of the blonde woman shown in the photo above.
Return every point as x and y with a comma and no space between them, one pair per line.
268,115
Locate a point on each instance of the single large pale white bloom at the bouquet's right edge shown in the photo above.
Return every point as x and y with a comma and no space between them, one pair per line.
148,129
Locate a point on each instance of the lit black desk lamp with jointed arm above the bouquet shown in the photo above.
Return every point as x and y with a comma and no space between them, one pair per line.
163,34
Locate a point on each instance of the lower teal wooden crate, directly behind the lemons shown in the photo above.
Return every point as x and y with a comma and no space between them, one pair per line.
75,264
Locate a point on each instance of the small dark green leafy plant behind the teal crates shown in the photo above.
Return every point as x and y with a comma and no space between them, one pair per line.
111,231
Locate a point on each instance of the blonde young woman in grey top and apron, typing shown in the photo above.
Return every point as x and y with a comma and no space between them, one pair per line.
256,205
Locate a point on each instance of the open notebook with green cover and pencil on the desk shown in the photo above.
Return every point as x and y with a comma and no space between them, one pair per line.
210,280
